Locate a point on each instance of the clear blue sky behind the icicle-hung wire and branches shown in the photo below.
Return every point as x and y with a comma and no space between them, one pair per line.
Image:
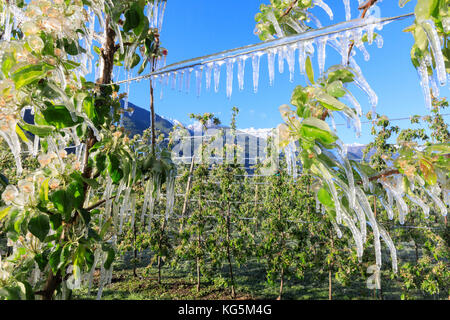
200,27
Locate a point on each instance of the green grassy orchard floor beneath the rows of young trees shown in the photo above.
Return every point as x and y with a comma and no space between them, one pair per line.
179,284
